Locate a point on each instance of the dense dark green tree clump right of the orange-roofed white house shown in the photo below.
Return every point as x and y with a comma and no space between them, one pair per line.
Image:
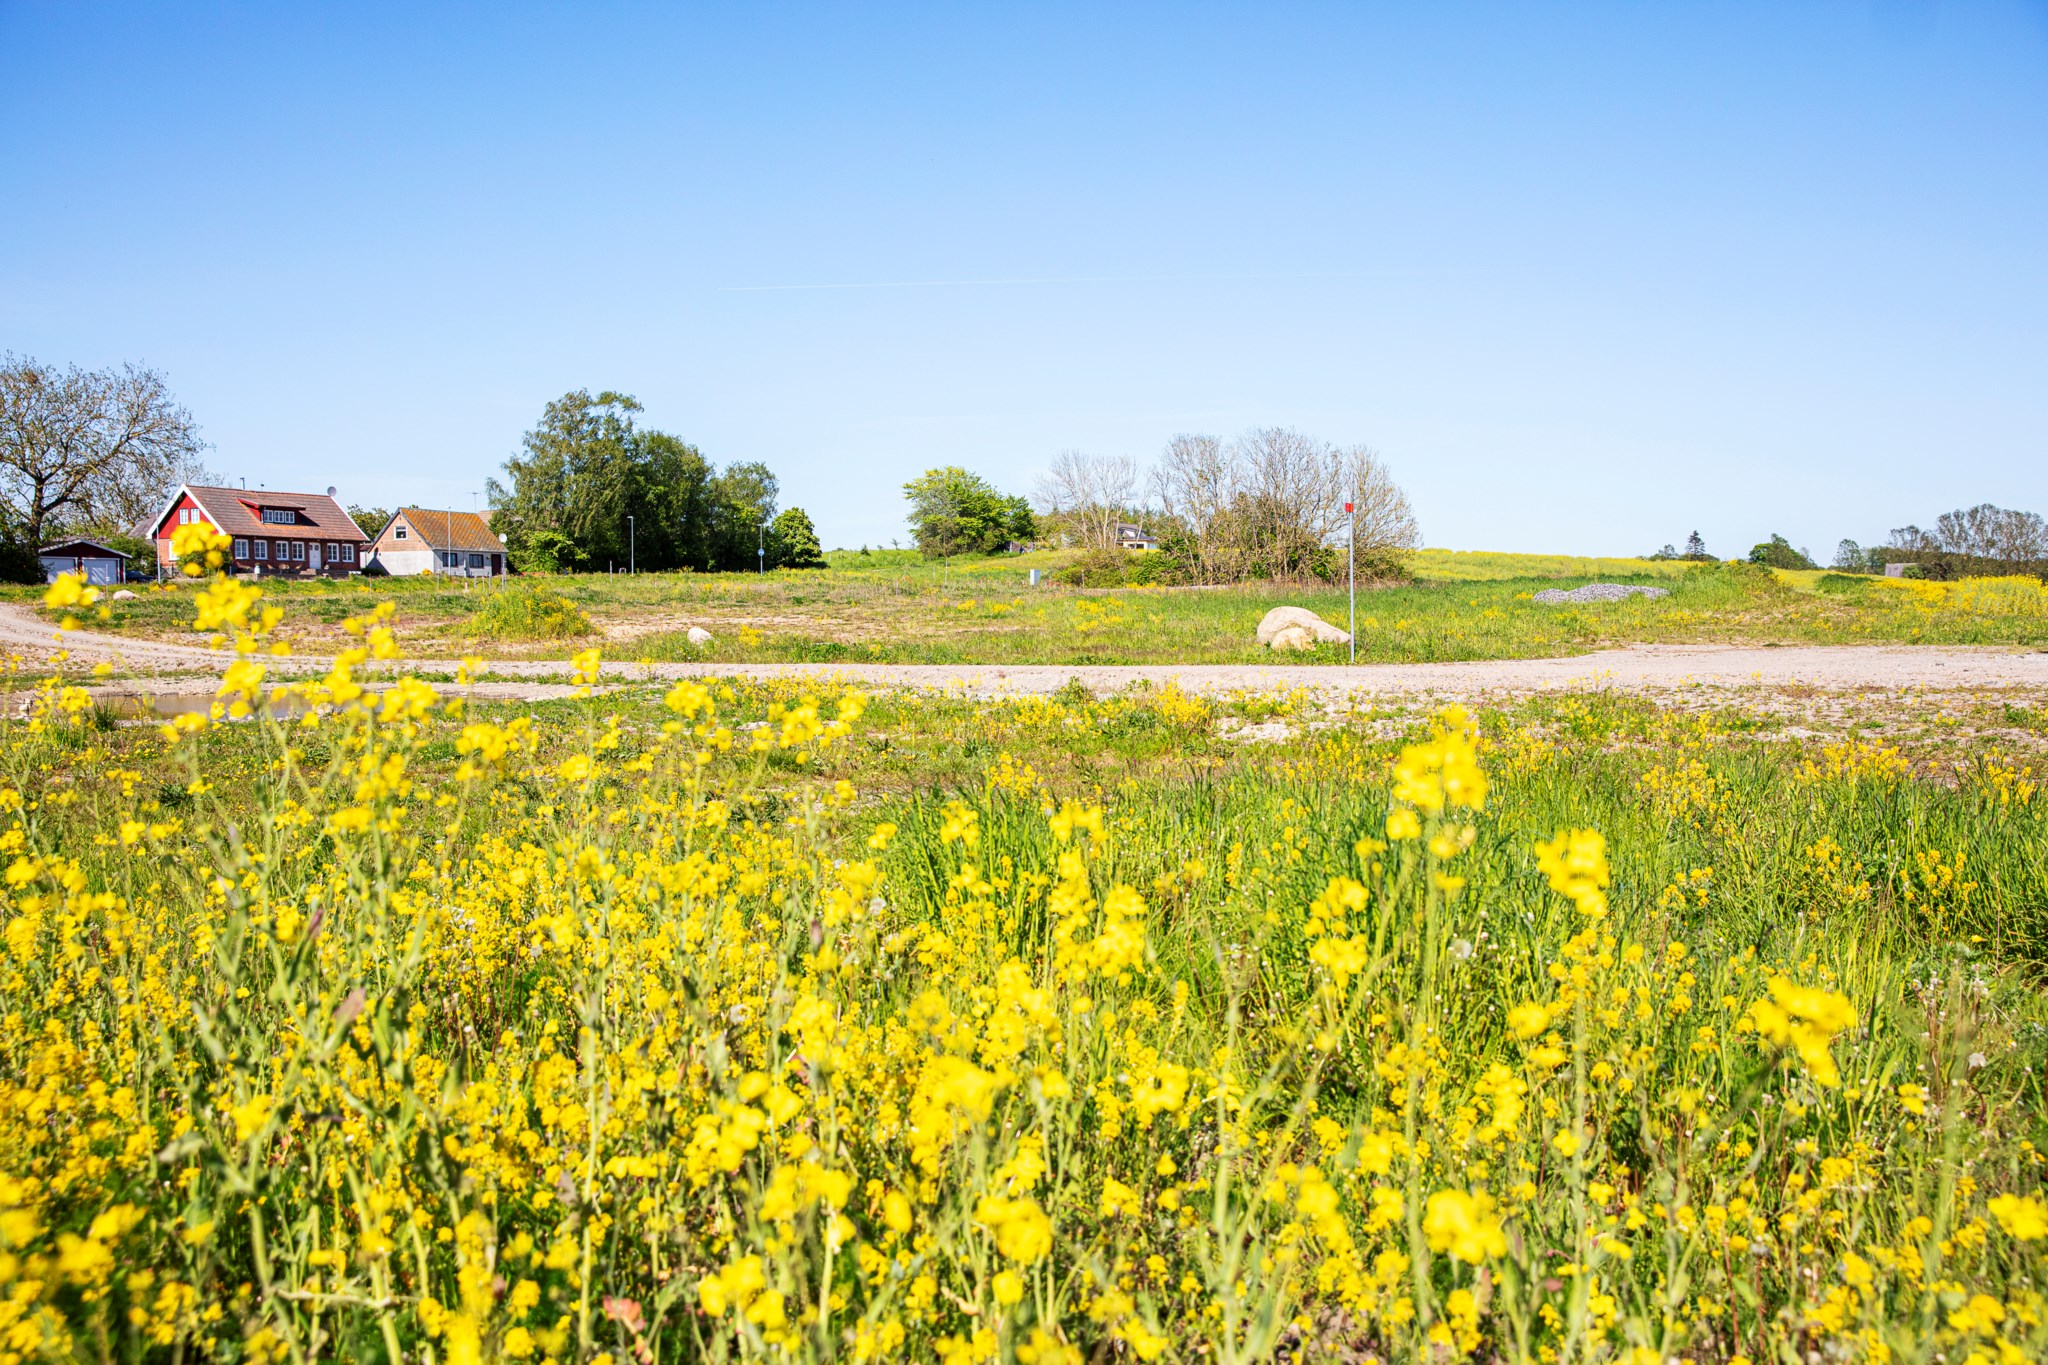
593,488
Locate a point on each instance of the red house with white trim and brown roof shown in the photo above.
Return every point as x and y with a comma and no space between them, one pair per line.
298,535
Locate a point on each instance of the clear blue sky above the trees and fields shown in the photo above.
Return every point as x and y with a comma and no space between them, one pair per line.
1590,277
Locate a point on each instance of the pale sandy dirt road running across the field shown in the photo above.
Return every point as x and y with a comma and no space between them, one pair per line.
1639,668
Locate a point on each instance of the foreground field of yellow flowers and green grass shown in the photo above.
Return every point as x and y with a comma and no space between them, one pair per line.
740,1024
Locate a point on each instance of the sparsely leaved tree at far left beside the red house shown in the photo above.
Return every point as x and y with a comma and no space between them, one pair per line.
89,447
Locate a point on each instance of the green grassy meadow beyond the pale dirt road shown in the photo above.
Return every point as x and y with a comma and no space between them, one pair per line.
892,607
